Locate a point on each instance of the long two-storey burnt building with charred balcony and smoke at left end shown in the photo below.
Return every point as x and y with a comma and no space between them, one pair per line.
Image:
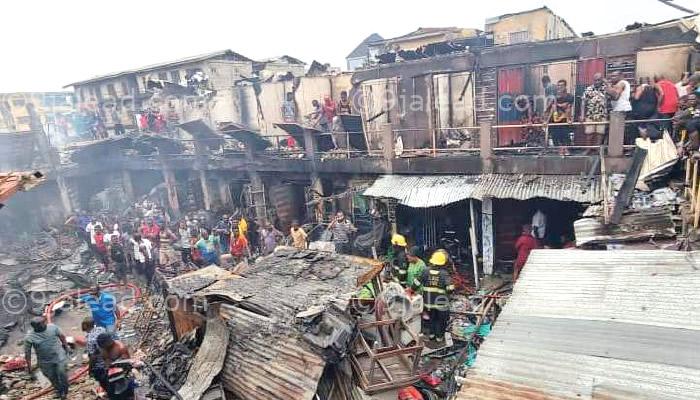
427,143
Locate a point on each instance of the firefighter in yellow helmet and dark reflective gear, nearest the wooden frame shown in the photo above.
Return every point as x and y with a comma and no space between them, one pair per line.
437,287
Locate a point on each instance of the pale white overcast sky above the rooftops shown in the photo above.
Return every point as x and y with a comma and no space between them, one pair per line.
48,44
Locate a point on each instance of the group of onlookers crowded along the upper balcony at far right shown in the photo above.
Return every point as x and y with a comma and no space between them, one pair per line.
667,105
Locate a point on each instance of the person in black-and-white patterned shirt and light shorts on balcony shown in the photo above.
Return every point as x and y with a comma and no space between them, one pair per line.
594,108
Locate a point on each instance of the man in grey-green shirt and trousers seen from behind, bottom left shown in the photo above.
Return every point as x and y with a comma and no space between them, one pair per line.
50,345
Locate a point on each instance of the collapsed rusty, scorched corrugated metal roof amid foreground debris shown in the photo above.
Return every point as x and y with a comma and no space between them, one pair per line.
268,357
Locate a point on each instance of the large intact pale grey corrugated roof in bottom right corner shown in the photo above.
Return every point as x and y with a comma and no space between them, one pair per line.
595,325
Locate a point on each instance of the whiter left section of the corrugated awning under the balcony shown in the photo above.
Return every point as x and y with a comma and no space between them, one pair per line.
422,191
